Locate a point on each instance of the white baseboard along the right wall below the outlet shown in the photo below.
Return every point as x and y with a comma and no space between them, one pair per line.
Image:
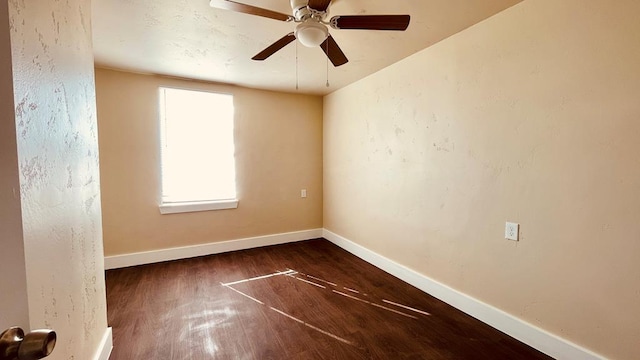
529,334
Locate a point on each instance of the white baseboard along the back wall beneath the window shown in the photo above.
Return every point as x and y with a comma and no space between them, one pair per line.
148,257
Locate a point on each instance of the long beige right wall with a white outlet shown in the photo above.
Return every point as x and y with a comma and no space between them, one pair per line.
532,116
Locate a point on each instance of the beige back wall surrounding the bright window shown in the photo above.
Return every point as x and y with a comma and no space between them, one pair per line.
278,152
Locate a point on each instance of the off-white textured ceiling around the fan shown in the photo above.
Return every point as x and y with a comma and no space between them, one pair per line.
188,38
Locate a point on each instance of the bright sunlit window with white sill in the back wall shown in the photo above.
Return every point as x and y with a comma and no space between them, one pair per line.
197,156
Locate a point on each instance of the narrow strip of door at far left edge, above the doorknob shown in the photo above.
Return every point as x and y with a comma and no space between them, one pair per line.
13,298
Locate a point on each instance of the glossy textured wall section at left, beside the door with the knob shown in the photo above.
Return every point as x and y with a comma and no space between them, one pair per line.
56,125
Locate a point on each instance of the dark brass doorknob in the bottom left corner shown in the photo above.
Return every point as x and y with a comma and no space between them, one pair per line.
15,345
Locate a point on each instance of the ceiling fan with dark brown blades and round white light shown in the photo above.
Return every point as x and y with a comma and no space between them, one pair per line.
312,30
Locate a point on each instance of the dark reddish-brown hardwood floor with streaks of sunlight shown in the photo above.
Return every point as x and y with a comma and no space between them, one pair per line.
306,300
